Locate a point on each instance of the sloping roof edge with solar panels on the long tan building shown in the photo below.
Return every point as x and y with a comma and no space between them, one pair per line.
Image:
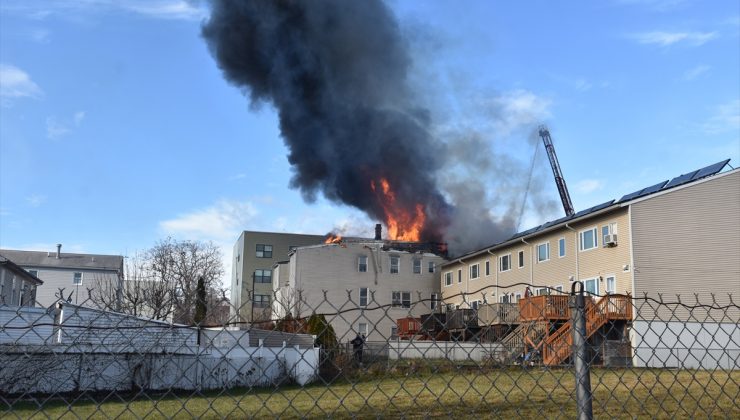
660,187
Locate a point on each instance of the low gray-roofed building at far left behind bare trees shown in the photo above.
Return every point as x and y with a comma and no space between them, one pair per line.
73,273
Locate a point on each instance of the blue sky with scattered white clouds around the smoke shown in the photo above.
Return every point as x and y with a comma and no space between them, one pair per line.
117,128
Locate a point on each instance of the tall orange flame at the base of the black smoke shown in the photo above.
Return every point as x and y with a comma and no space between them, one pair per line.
402,225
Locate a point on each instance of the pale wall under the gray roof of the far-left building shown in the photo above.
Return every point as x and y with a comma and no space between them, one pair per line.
58,278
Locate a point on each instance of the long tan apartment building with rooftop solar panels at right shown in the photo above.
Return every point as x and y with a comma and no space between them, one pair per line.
677,239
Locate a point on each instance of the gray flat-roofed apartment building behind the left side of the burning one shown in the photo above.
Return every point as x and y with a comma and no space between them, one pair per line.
251,281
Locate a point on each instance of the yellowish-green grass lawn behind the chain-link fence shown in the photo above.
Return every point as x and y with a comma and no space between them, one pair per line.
420,393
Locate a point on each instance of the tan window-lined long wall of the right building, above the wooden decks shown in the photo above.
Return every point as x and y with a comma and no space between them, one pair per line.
599,263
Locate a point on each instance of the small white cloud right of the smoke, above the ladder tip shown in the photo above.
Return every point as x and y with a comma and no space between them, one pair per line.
517,109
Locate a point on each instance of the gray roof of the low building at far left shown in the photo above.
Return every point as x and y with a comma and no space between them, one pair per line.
66,260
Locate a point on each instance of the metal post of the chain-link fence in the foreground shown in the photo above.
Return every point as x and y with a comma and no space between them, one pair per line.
583,374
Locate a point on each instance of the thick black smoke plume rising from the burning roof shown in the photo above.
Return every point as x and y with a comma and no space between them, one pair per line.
337,73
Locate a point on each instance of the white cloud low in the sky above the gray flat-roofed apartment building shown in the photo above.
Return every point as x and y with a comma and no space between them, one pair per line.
219,222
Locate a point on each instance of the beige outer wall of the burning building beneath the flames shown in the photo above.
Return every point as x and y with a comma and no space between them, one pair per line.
333,269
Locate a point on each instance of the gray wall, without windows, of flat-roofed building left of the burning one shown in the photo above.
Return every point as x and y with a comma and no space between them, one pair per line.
246,262
